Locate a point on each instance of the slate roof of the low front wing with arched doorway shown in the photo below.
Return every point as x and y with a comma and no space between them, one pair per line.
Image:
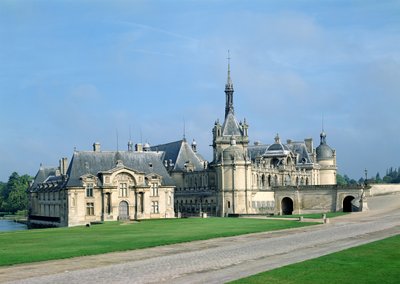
89,162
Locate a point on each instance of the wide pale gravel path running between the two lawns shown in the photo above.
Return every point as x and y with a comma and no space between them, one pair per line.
219,260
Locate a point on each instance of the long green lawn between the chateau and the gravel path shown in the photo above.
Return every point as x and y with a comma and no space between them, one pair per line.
45,244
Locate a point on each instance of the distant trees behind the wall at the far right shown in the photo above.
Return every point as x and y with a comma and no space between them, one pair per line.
392,176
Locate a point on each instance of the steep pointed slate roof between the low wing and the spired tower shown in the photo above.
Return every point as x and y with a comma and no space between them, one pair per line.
180,153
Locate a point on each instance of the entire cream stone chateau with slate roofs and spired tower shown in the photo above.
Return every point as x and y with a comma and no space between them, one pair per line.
173,179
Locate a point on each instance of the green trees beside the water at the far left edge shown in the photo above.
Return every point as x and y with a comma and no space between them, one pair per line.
13,195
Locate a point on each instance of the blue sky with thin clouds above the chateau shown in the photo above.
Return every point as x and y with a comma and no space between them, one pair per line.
77,72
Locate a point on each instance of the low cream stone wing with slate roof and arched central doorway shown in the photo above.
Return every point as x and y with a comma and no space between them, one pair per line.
102,186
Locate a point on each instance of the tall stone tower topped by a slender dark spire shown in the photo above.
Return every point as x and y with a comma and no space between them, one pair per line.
231,162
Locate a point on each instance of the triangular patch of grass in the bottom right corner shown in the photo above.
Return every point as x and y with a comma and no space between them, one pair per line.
377,262
